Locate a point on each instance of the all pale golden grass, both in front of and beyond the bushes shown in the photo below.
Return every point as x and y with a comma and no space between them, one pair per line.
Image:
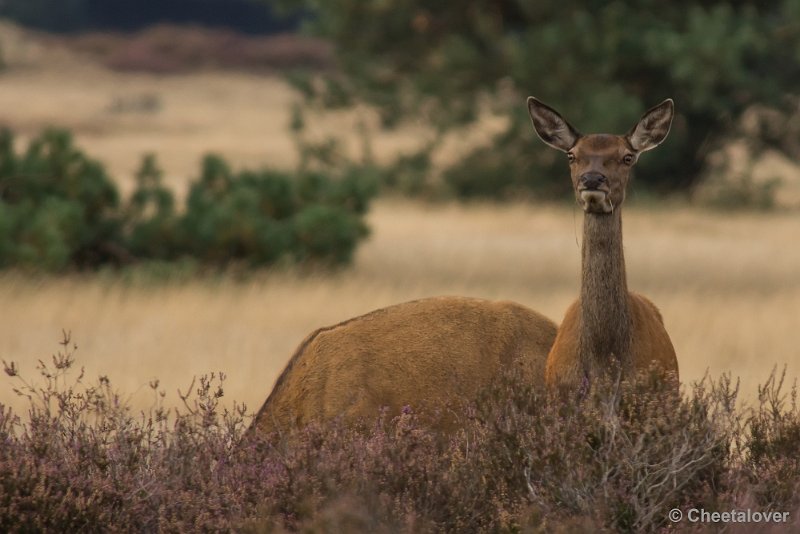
727,284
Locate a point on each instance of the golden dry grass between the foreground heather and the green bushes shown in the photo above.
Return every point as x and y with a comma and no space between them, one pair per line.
727,287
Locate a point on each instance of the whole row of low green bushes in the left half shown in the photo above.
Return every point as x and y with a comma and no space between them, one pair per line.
59,210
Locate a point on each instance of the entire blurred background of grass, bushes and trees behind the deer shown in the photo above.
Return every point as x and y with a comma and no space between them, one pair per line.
194,185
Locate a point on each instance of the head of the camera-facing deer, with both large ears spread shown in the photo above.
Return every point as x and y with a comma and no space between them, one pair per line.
600,164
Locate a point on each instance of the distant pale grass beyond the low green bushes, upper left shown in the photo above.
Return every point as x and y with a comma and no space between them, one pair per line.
119,116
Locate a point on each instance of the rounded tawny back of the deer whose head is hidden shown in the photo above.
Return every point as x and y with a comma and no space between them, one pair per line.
427,354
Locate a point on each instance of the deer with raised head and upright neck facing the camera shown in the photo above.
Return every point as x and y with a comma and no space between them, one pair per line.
608,331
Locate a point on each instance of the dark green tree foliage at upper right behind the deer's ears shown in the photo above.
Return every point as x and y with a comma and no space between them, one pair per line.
601,63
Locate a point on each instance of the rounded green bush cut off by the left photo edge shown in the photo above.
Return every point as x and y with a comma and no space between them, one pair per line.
57,206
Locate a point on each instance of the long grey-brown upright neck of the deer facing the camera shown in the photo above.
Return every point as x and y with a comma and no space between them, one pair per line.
605,315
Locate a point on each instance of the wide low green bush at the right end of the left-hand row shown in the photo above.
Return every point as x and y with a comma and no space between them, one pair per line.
260,217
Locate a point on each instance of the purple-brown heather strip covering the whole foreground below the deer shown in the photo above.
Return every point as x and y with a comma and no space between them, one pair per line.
521,460
